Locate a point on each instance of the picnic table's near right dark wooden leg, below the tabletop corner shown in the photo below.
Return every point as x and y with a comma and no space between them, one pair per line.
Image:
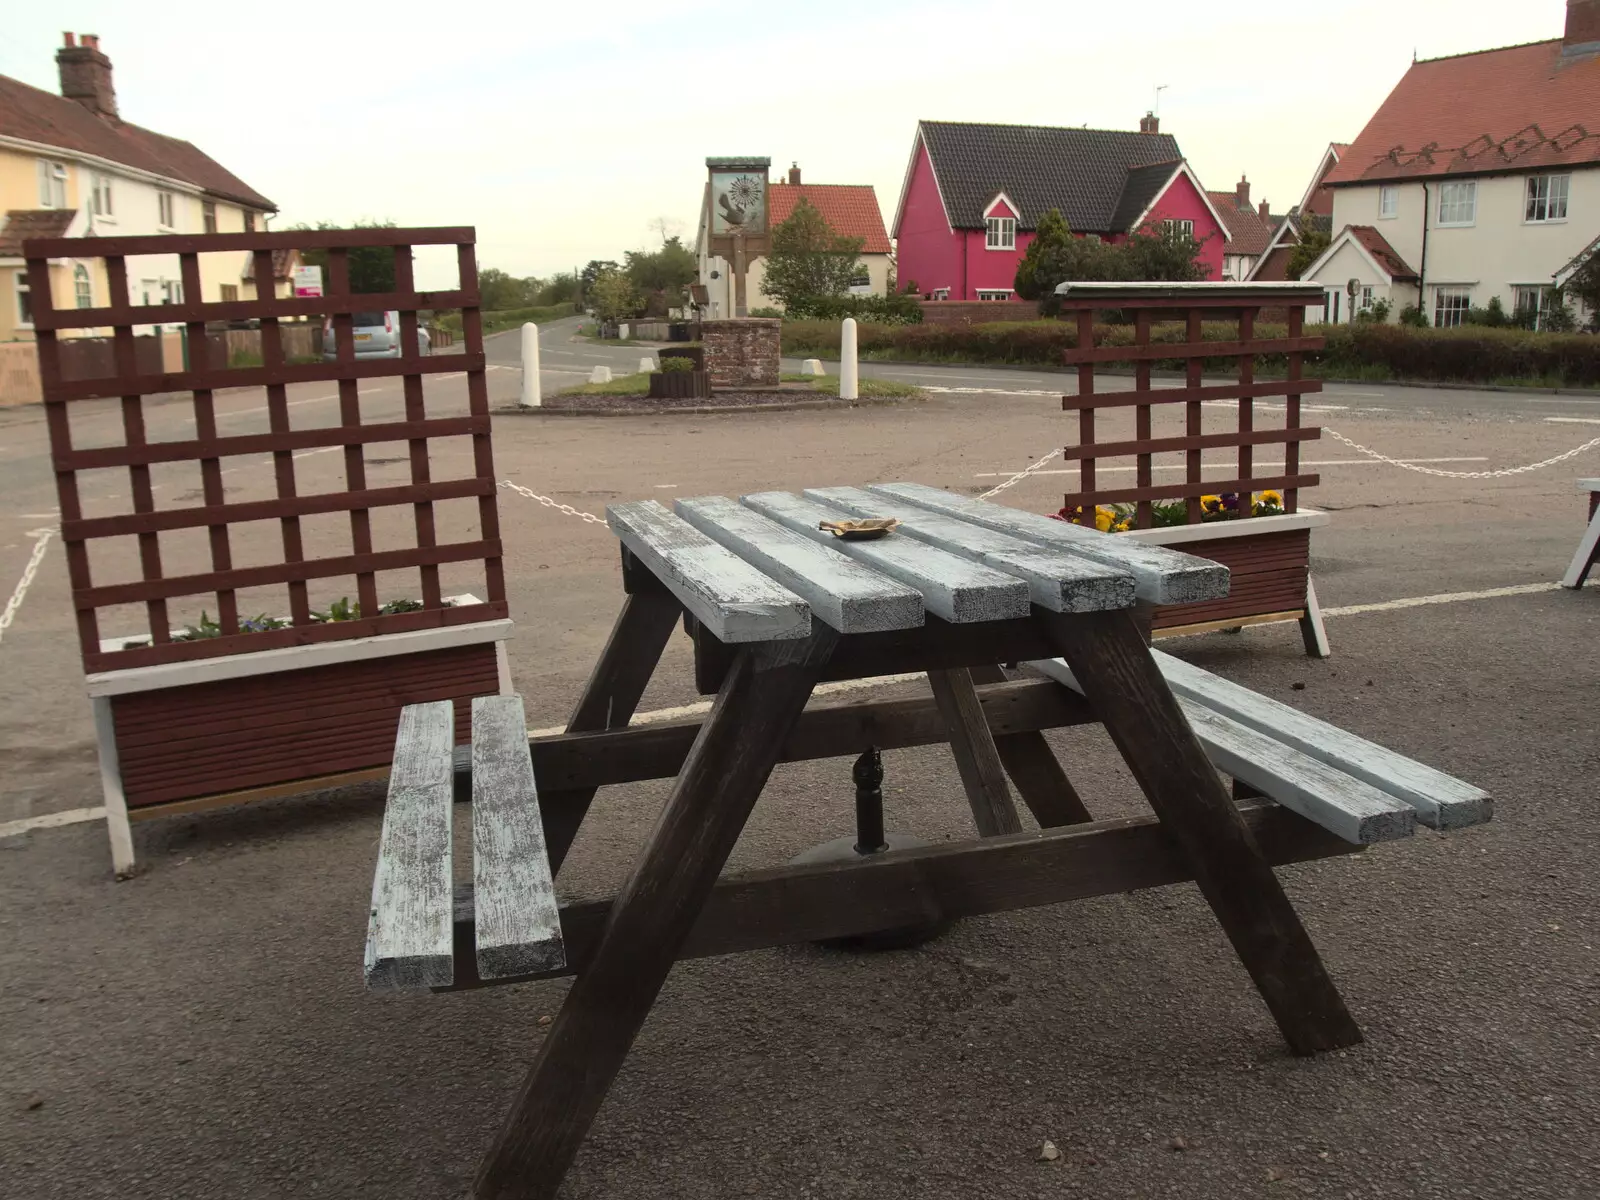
1122,682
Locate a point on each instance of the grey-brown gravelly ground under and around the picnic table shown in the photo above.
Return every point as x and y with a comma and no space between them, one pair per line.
202,1031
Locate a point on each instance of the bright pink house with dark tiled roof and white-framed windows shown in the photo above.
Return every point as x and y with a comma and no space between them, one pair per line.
974,196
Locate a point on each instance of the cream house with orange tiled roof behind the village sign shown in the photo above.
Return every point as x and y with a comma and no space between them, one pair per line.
850,209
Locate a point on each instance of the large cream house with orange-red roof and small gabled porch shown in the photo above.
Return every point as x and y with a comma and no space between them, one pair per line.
1489,198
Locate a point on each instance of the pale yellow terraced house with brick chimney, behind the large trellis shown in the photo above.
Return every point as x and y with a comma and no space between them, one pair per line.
71,167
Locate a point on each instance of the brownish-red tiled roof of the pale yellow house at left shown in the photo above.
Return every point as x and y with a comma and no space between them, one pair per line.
44,118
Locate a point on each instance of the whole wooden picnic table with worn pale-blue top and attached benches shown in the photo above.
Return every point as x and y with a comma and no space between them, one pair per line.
775,607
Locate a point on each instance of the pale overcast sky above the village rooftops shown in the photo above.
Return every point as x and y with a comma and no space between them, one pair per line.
562,132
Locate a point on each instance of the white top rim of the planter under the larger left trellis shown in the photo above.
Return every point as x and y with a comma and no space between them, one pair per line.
294,658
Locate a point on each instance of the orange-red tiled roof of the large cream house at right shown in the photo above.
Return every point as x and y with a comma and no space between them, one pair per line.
1508,110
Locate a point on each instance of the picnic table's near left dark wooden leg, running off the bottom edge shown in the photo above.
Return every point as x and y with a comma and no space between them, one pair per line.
652,918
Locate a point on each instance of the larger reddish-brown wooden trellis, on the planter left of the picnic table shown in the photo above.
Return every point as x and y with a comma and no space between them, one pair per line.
207,449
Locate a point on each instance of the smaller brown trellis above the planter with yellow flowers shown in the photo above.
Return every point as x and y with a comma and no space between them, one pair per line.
1194,305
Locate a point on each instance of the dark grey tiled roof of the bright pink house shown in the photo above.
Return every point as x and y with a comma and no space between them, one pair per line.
1081,172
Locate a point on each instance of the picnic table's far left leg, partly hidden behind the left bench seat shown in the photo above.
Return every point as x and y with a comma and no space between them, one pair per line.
626,665
